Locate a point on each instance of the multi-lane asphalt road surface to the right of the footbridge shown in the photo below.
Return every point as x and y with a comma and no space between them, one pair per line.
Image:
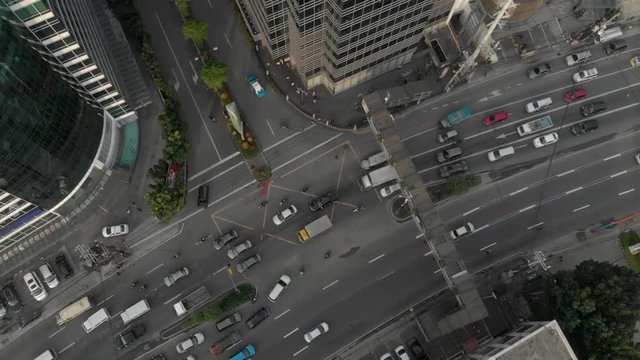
538,194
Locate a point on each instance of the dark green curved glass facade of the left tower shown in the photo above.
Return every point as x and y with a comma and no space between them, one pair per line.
48,135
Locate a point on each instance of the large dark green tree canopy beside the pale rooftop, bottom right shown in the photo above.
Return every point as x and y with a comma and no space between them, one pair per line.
597,305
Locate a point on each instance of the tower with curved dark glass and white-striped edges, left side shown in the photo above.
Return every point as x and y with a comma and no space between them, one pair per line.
69,85
